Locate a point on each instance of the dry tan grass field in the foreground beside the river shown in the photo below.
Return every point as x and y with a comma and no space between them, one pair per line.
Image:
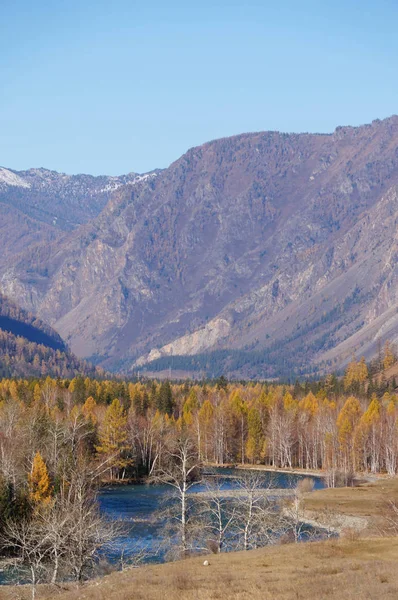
349,568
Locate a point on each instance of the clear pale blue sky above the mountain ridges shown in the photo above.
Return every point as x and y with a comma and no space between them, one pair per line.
116,86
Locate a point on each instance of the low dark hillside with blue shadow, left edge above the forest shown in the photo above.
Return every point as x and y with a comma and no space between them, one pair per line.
30,348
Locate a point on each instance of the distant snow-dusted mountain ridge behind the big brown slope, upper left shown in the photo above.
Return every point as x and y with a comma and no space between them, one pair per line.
39,205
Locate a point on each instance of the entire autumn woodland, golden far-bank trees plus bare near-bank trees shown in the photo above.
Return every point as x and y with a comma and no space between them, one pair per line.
60,439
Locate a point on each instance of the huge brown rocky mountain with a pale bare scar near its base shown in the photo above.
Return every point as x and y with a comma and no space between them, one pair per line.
255,255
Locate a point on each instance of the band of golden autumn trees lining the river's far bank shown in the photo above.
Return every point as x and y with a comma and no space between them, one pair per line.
337,425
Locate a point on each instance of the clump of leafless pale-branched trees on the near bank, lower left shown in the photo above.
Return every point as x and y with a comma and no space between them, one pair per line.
62,537
